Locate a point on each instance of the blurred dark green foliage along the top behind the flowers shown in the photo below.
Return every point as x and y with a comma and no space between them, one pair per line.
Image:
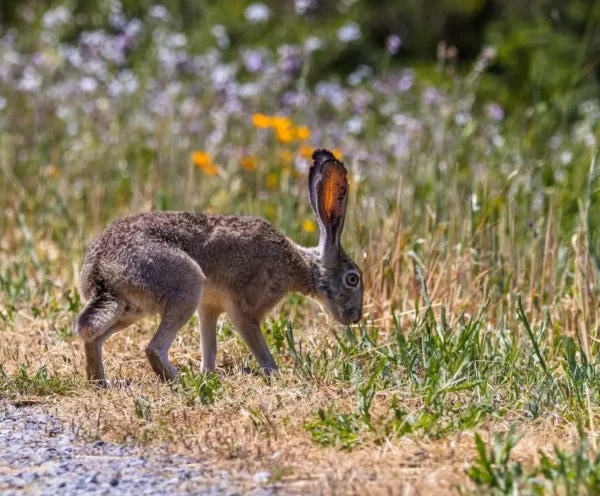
547,50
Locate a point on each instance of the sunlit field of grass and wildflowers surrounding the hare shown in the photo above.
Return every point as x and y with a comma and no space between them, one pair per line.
475,231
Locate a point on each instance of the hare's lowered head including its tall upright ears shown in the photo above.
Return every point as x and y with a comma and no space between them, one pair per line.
338,280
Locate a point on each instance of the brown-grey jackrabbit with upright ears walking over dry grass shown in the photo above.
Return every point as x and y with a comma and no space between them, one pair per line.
176,263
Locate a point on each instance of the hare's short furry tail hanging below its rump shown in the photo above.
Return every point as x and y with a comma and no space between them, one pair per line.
100,313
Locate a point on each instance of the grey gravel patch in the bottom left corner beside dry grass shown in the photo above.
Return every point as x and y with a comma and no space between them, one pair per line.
40,455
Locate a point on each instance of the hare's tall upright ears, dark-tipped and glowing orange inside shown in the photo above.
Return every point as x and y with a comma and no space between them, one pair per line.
328,191
